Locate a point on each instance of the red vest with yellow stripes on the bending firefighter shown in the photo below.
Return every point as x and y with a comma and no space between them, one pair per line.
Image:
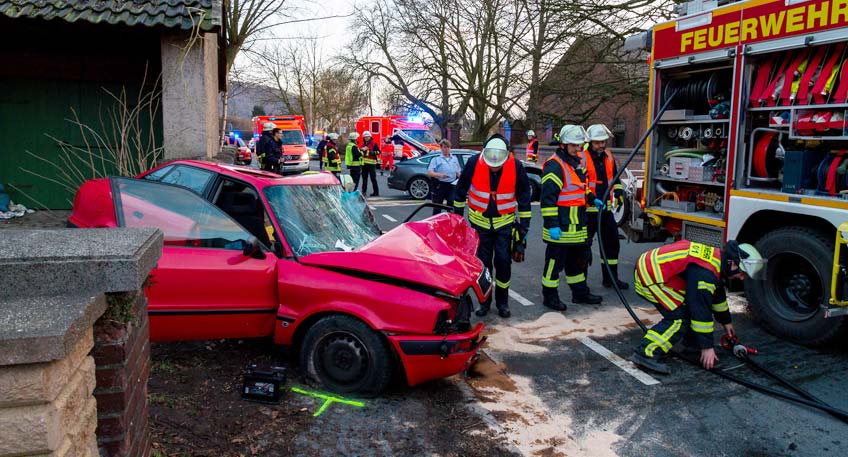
658,270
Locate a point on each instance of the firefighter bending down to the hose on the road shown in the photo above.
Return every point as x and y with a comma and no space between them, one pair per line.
685,281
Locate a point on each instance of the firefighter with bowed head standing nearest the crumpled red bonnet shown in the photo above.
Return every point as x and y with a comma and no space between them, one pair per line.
497,191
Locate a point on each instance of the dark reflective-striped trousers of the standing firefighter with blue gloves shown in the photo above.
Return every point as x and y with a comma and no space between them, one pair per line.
559,257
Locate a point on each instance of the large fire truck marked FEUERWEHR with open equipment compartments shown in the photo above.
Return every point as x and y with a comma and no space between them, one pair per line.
753,146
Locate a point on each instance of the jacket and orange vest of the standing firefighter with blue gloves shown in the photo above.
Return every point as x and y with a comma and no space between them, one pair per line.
563,198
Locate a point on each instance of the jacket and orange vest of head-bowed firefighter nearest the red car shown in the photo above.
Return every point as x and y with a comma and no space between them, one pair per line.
494,198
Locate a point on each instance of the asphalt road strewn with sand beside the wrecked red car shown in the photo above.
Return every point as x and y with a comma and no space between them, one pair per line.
551,391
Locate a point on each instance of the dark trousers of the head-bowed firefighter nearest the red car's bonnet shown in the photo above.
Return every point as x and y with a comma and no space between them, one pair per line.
494,252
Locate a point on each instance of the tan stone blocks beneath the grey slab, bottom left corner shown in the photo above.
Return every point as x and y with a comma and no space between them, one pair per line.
47,408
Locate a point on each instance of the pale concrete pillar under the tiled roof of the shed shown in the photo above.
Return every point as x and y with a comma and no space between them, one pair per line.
190,96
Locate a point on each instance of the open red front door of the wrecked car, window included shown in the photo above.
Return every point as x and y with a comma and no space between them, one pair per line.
204,286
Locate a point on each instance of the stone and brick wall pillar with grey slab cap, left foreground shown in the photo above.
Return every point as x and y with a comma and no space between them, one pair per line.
52,306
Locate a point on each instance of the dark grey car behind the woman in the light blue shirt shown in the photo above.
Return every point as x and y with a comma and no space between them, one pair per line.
411,175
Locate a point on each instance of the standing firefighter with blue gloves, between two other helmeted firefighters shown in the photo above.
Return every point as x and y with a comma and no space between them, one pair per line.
563,205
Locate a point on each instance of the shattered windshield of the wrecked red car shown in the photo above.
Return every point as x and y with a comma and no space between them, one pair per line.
321,218
